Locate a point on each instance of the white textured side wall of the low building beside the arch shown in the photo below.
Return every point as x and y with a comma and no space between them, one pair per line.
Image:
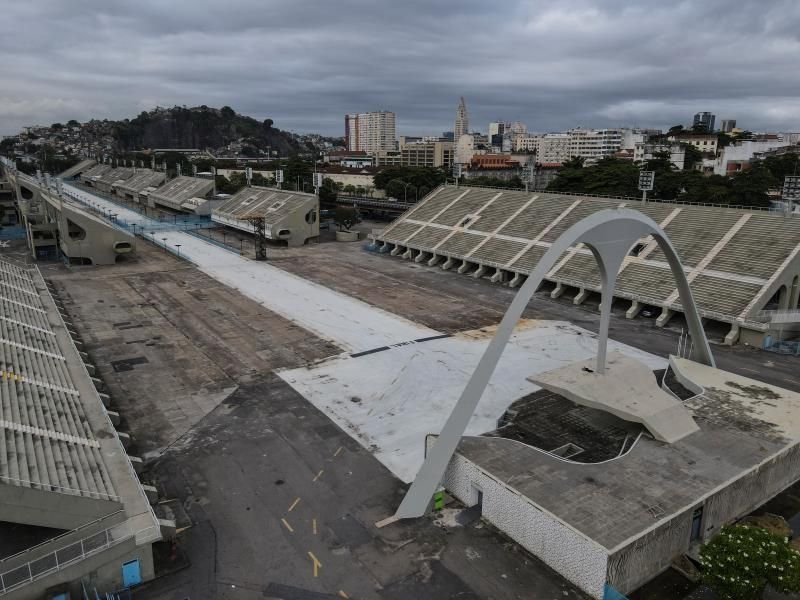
566,551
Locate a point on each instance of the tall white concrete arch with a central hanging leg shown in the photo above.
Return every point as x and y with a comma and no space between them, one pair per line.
609,234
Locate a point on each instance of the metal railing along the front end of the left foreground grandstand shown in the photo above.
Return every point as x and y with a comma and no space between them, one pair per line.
72,553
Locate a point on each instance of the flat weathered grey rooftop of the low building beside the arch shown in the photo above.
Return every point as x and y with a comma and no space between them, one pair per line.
743,423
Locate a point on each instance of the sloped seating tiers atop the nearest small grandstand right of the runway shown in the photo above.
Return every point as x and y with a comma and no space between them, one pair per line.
270,203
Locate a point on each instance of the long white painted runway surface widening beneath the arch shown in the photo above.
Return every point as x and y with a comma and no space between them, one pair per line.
391,398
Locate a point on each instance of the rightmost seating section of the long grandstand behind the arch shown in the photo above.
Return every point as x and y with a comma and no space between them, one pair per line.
747,253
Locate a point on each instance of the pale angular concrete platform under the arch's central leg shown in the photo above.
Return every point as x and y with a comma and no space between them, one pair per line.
628,389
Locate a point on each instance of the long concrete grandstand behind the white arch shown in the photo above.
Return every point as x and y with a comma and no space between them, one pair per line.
738,262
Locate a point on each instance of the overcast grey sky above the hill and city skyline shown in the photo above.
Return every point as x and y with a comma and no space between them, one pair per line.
552,65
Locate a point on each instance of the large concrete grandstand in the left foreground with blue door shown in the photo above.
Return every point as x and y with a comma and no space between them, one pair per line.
63,465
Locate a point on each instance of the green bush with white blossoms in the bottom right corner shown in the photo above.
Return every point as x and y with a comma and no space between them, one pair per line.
741,561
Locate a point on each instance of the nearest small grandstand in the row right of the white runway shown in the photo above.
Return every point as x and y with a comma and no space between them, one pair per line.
292,217
